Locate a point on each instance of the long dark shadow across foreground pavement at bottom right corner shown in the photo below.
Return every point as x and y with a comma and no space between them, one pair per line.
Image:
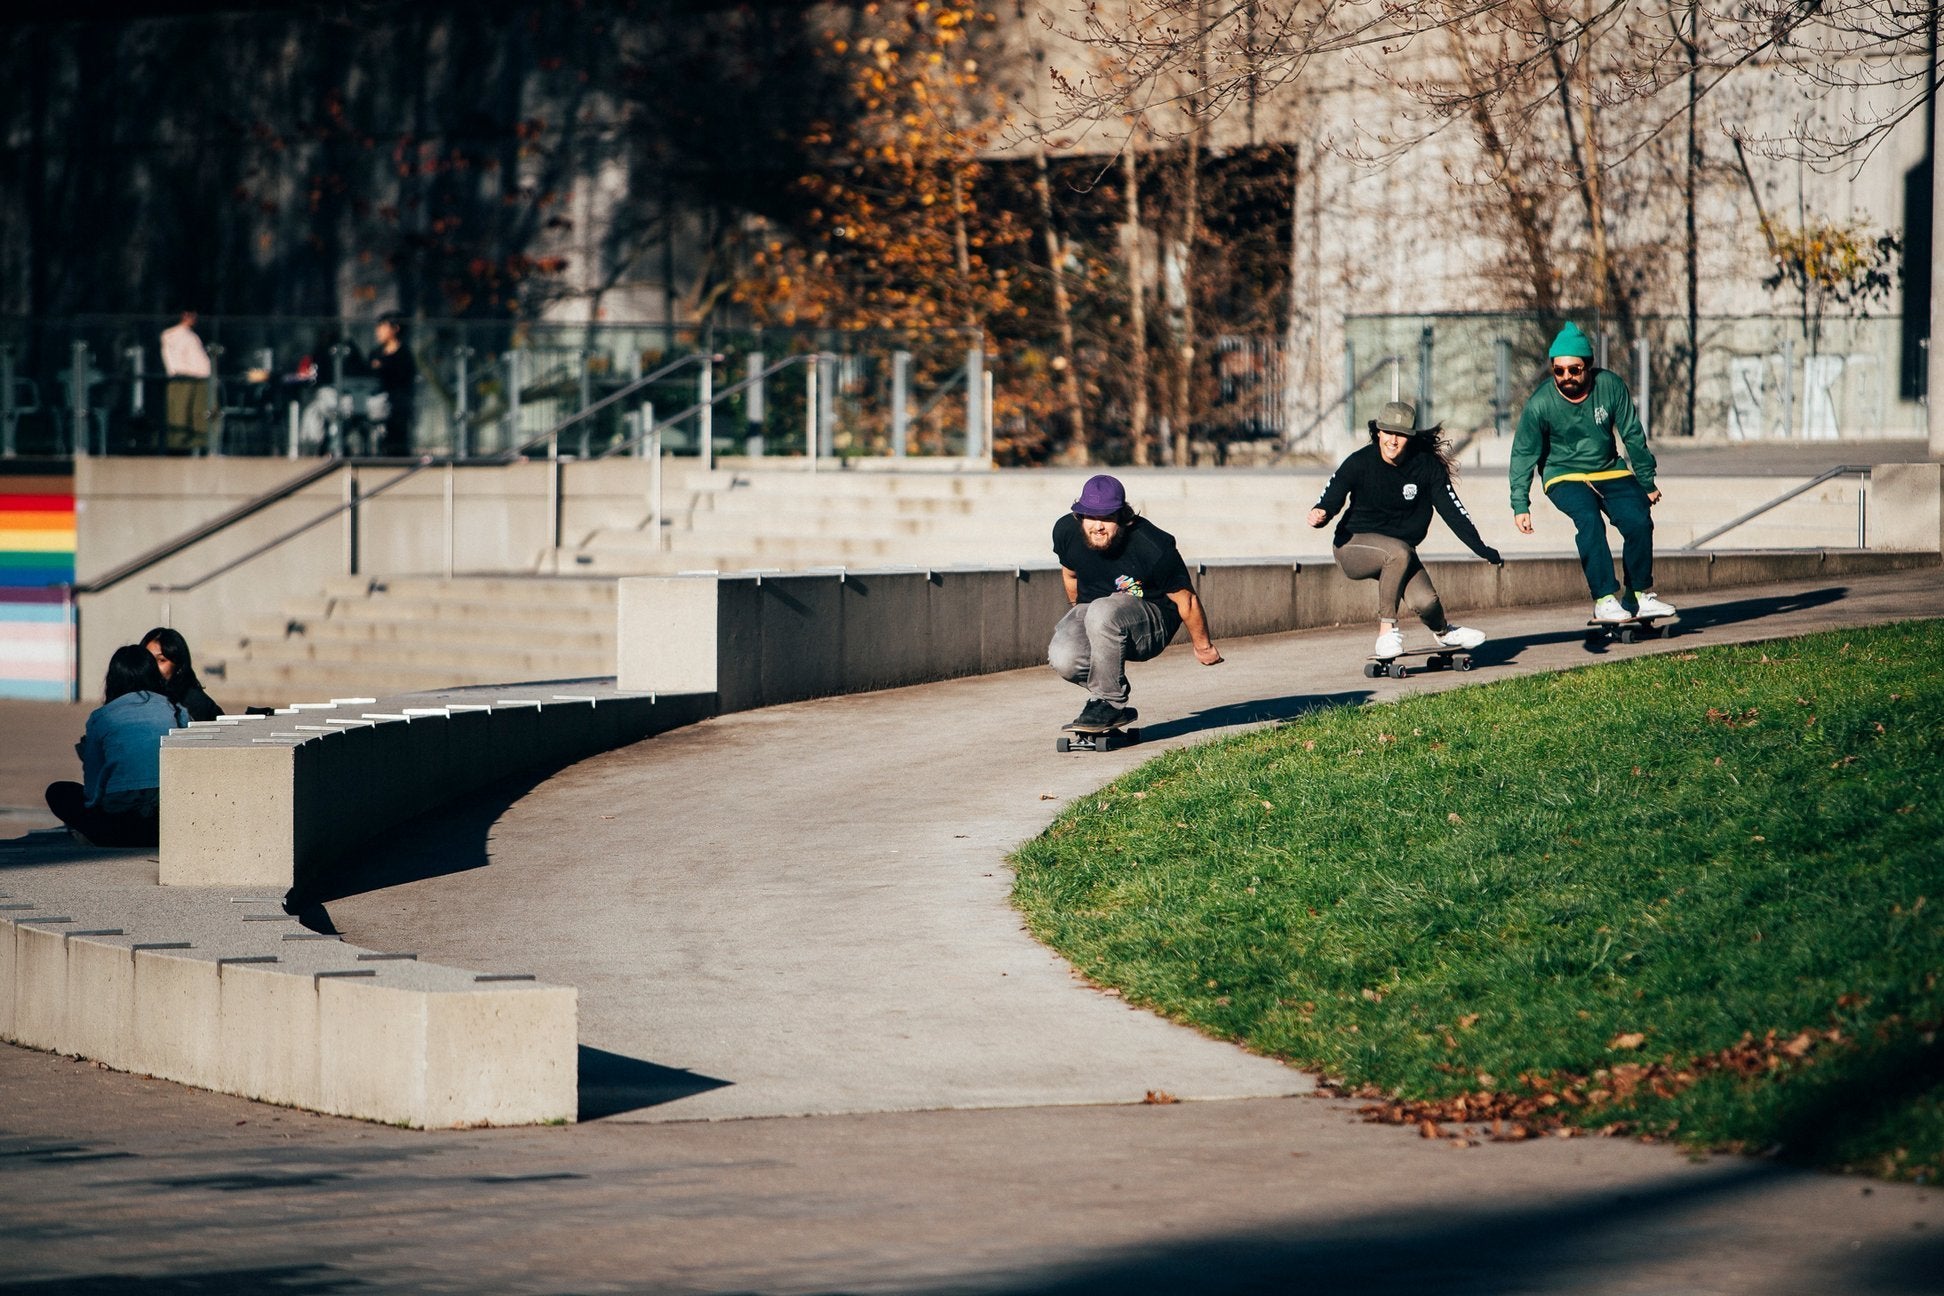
1587,1243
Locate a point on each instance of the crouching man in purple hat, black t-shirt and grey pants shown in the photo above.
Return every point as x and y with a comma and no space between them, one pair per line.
1130,594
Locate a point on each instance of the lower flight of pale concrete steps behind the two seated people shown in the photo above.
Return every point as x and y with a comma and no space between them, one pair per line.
376,636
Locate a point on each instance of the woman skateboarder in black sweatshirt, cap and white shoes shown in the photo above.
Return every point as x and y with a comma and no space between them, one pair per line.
1391,489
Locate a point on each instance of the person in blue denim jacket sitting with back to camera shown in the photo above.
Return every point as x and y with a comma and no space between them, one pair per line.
120,796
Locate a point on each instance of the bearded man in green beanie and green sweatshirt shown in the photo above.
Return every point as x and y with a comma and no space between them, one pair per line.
1568,434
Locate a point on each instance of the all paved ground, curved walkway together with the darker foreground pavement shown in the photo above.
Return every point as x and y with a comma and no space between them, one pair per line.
804,910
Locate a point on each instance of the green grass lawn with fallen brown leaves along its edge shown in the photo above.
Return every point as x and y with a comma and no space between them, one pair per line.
1690,895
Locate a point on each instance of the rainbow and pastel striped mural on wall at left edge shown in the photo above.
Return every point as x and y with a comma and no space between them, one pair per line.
36,568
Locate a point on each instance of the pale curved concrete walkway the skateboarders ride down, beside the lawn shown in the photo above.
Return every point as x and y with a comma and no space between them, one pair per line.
804,910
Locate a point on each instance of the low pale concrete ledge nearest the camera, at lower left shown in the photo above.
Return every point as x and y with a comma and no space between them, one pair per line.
236,998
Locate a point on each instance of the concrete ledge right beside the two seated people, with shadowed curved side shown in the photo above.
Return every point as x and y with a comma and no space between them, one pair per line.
271,801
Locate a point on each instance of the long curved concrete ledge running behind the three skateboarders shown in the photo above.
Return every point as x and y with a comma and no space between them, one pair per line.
765,640
